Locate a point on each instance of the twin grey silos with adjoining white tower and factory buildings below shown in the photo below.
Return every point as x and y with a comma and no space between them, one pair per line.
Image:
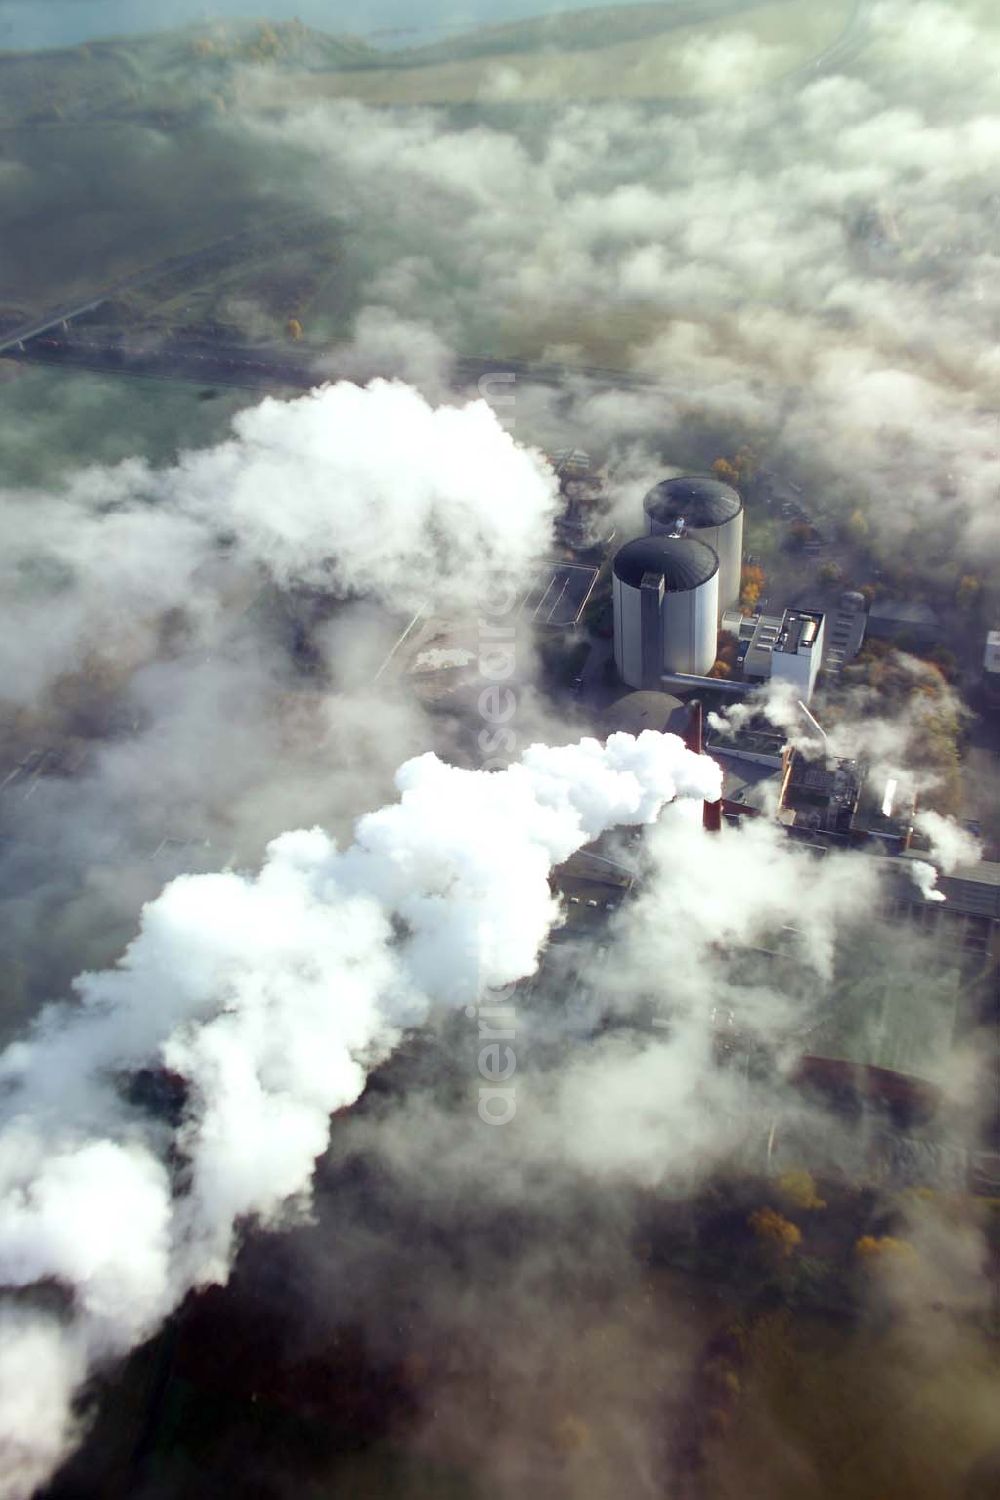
677,595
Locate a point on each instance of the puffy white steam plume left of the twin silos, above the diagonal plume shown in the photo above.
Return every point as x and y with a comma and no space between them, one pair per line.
359,491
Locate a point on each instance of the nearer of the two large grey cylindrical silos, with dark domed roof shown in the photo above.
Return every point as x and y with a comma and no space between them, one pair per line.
666,608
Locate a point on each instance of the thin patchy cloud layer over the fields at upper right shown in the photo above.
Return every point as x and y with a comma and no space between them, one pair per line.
810,265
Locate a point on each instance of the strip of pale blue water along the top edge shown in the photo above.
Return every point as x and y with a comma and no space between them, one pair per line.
29,25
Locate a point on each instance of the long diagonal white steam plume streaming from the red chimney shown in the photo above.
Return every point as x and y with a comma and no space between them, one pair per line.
272,997
